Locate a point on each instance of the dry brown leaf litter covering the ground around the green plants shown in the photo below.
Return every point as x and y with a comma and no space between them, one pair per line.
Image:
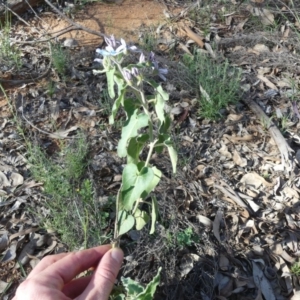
237,187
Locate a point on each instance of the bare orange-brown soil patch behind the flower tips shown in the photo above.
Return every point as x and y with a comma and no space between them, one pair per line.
122,20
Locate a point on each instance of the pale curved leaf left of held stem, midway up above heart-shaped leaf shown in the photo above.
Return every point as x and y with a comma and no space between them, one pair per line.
132,125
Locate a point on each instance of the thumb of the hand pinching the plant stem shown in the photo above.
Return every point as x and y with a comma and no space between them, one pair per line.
104,276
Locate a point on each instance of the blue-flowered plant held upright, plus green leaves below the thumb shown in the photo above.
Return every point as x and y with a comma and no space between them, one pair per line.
146,129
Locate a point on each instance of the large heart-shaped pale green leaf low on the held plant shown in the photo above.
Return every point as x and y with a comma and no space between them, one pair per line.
134,183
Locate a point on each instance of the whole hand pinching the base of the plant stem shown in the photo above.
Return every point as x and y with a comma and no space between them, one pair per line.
52,278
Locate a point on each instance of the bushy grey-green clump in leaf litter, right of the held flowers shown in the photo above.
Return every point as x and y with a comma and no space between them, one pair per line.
216,83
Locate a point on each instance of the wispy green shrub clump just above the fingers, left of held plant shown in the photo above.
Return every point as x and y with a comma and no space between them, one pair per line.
74,213
